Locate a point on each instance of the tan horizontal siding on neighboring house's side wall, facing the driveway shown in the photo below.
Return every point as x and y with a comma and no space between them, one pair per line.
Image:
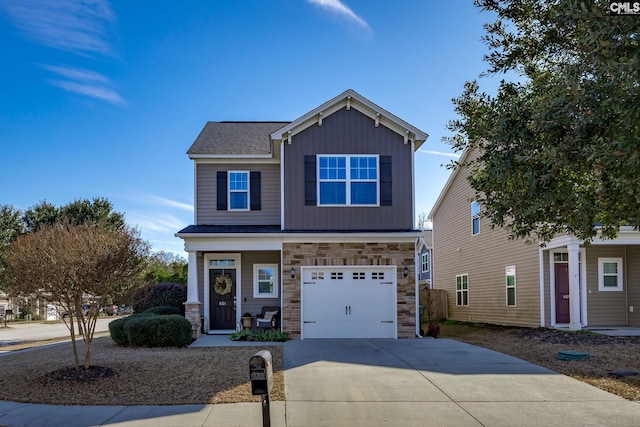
484,258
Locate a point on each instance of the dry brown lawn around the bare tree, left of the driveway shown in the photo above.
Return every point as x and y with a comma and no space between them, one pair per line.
144,376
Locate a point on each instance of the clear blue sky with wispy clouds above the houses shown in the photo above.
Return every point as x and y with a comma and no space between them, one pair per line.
103,99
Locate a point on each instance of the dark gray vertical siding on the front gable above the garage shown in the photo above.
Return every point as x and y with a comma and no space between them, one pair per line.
348,132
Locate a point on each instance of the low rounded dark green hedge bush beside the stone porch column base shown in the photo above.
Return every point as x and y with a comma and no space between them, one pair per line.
159,331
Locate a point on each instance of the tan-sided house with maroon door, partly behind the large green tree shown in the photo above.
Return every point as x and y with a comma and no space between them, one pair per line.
490,278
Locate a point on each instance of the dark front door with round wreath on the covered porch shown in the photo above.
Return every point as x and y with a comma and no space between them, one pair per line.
222,298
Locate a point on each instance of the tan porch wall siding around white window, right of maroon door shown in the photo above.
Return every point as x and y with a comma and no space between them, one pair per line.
606,308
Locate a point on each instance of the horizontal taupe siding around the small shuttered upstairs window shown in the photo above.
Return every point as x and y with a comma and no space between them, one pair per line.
206,195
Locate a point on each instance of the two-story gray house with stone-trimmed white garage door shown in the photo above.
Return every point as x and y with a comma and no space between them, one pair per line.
314,216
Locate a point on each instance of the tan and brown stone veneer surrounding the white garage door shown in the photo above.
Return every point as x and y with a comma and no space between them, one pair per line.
345,254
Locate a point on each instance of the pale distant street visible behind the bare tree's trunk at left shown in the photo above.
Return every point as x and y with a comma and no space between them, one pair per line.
16,333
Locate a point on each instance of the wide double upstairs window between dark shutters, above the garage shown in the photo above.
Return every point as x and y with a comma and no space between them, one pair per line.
348,180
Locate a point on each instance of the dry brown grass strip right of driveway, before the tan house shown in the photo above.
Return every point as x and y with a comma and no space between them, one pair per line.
540,346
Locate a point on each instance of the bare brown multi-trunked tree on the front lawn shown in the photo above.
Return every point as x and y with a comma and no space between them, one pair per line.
71,264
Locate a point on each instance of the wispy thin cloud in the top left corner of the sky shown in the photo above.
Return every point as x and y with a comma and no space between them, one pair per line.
78,26
